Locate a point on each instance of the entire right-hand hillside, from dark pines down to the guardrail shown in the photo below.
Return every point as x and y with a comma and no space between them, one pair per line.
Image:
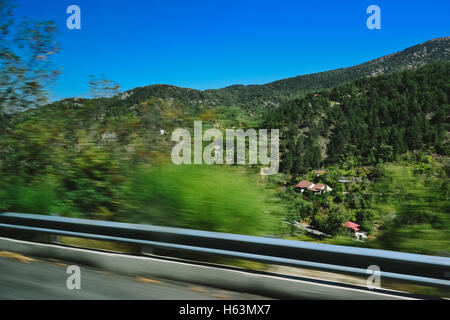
382,145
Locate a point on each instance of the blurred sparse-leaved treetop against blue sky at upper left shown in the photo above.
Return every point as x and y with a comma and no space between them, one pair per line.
26,48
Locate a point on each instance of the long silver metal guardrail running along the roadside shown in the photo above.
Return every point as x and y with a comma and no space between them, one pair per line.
405,267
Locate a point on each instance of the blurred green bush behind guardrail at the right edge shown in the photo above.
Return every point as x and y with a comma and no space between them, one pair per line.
416,208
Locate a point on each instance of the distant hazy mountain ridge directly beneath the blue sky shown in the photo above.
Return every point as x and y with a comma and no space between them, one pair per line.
282,90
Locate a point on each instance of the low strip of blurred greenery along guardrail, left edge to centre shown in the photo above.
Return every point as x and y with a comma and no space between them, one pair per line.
188,196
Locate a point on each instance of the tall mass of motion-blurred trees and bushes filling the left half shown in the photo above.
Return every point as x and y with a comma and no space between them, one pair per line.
115,169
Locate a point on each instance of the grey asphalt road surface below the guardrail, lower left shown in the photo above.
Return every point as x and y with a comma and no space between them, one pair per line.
21,278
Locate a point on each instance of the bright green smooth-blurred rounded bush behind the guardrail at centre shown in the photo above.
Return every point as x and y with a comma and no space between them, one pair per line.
202,197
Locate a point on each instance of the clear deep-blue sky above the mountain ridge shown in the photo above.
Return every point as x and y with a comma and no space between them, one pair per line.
212,44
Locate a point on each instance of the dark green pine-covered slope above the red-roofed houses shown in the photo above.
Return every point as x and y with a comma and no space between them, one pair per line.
370,120
